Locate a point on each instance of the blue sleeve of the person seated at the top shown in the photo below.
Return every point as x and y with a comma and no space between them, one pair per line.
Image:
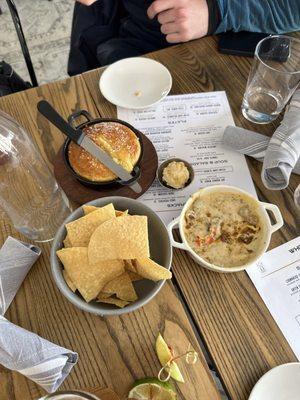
269,16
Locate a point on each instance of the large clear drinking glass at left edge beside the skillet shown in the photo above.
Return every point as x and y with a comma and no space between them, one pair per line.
28,191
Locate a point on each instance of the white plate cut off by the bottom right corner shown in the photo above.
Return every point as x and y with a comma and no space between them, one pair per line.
280,383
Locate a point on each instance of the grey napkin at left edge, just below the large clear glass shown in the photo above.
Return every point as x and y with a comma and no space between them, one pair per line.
16,259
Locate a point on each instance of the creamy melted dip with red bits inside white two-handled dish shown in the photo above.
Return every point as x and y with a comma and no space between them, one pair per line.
224,228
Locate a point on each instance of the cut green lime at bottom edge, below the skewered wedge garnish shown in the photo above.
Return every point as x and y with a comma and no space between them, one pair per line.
152,389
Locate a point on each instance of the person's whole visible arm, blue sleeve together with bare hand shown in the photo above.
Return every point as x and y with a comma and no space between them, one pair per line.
184,20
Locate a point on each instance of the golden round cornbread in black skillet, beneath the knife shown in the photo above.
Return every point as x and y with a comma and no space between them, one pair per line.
116,139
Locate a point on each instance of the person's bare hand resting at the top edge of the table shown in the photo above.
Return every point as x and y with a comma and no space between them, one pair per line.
181,20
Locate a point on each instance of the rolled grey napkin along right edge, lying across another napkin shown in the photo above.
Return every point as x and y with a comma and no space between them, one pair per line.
284,148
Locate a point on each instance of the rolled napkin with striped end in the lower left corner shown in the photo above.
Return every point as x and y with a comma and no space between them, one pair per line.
43,362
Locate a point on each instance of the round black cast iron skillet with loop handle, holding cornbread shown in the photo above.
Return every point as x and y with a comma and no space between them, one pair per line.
92,121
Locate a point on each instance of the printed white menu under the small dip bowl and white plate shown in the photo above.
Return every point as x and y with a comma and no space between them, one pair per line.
190,127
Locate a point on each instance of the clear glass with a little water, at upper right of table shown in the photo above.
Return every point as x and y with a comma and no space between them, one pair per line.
274,76
